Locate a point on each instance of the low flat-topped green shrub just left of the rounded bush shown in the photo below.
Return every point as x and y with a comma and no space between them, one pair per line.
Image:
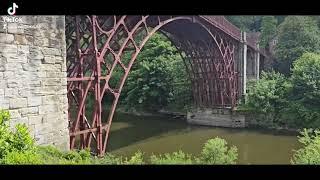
173,158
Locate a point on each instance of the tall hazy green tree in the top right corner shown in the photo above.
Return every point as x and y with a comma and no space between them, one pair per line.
297,34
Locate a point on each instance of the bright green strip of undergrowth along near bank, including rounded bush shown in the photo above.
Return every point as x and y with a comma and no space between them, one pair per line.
18,147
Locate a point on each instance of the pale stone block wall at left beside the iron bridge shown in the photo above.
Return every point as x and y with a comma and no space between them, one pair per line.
33,84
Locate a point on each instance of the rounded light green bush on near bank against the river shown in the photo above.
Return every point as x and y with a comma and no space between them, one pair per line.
216,151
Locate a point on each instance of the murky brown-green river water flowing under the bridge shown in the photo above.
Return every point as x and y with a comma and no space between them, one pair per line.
154,135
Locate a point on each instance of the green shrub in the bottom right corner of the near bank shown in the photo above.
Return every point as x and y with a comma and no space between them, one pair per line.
310,152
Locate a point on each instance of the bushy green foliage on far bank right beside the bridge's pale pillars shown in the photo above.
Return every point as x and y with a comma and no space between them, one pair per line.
268,97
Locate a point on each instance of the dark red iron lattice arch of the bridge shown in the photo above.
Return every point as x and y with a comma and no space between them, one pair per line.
96,46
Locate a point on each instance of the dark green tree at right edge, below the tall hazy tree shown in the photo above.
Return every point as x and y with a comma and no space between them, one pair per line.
305,96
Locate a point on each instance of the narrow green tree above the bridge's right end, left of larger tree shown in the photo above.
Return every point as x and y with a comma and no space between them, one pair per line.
268,30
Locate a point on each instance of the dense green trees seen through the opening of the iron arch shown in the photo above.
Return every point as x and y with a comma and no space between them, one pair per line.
158,77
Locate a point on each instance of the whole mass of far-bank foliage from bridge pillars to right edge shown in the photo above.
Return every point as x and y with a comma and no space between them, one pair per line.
292,101
